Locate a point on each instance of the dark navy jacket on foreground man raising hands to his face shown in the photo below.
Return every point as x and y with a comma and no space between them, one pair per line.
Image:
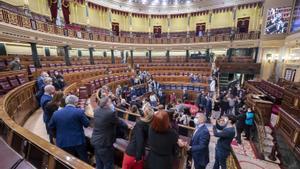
225,138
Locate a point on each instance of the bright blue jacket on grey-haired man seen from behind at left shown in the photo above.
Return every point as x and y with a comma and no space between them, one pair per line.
68,123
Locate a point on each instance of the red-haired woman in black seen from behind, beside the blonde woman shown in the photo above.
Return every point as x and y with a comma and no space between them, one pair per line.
162,140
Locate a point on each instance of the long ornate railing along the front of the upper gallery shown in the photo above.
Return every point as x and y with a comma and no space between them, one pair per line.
73,32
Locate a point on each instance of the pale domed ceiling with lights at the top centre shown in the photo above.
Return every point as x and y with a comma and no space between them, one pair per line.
168,6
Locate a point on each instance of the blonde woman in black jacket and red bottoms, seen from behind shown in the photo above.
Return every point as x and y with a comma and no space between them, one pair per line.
135,151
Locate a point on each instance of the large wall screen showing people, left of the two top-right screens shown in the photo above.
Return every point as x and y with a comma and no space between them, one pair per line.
277,20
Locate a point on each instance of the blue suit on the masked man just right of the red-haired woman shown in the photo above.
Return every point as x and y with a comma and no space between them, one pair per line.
199,146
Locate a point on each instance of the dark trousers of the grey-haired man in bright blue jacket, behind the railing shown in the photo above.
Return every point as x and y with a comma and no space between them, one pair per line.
78,151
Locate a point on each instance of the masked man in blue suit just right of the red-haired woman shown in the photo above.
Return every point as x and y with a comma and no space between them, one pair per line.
199,143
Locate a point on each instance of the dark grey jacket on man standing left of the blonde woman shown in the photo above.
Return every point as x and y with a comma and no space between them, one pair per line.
105,123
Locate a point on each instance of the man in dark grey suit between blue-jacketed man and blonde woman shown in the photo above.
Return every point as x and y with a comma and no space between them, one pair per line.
104,133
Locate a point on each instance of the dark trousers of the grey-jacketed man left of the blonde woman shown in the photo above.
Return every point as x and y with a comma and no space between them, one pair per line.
104,157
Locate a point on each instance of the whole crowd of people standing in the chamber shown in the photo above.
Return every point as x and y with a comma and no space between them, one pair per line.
154,141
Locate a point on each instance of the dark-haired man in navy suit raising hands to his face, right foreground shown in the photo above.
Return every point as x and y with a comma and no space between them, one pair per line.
226,136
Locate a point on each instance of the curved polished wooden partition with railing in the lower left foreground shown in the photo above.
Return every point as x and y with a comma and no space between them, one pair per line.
16,107
